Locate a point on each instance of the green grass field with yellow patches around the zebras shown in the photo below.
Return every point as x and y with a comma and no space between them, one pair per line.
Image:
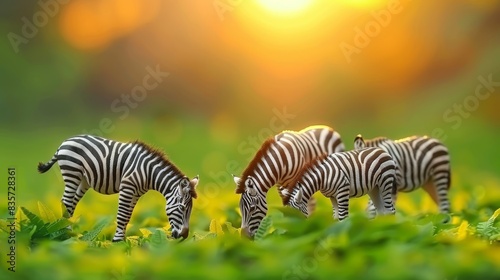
414,244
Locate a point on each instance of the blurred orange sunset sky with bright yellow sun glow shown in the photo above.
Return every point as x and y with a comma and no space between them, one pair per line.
238,56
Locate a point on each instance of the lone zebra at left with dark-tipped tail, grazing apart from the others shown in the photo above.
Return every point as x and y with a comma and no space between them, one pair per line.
129,169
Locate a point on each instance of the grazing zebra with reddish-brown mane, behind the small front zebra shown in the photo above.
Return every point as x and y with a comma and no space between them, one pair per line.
277,162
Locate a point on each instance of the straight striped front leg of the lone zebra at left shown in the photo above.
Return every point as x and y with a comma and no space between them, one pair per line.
126,203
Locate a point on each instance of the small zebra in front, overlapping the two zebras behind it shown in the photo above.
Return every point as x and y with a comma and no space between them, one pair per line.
343,175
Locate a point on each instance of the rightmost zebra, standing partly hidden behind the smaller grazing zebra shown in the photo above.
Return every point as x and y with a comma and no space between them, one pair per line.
420,161
